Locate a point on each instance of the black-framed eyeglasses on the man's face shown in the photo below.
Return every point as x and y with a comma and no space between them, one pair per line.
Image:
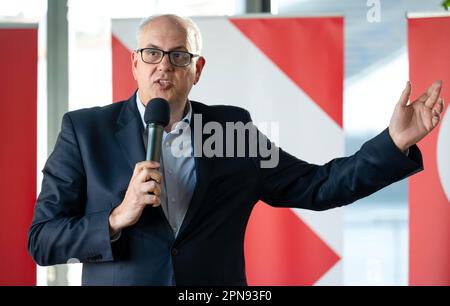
176,58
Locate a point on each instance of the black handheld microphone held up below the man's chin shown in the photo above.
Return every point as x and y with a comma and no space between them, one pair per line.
156,117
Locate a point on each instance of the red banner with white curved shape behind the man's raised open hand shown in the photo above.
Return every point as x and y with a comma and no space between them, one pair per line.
429,191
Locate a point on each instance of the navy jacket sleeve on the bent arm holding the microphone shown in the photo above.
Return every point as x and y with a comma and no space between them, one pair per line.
60,229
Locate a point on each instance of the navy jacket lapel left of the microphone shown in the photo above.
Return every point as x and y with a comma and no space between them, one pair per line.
129,132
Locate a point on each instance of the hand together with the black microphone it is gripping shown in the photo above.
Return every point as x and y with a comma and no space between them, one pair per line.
144,187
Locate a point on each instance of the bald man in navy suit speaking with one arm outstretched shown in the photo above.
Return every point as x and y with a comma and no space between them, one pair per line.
182,221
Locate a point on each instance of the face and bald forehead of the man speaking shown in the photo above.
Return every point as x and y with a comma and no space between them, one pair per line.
165,80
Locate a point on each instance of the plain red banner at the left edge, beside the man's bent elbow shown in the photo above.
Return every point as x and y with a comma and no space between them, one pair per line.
18,132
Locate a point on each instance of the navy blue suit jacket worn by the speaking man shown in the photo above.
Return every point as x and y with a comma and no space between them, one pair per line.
88,172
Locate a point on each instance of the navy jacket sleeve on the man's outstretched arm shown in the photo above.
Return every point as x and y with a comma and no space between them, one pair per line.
296,183
